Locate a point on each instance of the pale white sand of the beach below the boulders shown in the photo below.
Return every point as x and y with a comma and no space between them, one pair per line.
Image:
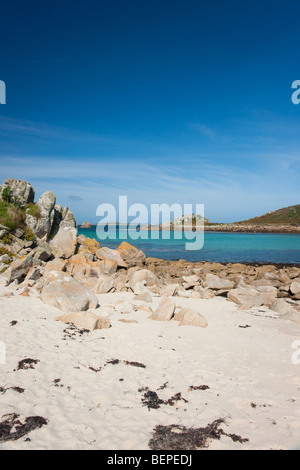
252,381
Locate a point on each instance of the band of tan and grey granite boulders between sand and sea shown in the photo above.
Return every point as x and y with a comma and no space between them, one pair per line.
56,260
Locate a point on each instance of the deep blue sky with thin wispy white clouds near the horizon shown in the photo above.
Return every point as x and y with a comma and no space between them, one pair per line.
162,101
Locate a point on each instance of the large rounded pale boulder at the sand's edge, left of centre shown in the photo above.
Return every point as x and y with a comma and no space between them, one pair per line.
67,294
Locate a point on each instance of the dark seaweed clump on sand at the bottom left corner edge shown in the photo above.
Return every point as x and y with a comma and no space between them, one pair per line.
12,428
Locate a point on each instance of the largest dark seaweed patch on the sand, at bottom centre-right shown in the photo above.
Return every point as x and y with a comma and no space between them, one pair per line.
175,437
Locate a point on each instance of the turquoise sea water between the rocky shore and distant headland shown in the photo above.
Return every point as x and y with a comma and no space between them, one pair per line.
218,247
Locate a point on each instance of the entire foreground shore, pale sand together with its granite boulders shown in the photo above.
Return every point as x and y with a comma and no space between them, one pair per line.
107,347
